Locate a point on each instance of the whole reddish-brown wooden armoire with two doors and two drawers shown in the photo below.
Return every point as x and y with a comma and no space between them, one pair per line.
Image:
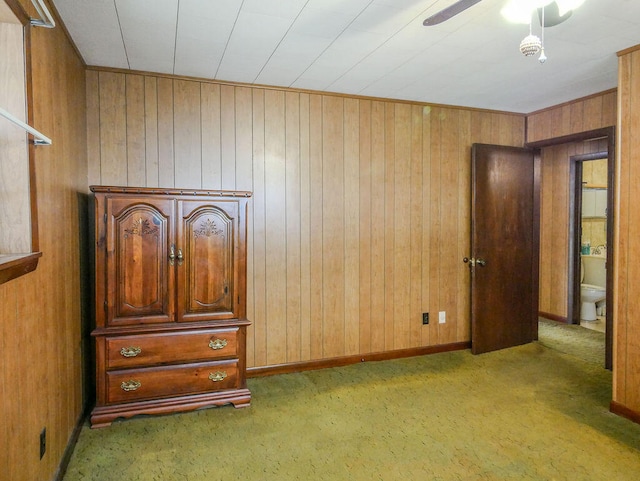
170,290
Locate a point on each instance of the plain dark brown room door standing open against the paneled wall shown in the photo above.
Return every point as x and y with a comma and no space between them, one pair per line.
505,247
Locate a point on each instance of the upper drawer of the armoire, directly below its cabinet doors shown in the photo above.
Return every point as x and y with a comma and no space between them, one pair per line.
173,347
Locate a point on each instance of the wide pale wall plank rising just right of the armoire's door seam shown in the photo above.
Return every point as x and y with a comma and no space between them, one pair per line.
187,140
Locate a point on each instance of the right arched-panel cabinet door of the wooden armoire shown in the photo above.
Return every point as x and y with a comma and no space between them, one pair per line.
208,270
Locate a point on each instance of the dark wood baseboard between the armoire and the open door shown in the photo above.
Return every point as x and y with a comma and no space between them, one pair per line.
346,360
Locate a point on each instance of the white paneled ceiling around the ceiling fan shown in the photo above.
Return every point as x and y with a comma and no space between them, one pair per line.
374,48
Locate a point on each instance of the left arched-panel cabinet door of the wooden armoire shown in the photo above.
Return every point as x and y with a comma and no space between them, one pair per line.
139,275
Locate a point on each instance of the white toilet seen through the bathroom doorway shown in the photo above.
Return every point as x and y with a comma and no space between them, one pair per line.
593,279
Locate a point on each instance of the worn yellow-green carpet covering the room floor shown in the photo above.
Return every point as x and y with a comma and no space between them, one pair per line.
531,412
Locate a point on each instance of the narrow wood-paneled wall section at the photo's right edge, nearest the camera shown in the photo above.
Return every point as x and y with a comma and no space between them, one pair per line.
626,379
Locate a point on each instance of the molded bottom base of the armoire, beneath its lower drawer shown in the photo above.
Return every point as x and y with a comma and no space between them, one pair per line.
103,416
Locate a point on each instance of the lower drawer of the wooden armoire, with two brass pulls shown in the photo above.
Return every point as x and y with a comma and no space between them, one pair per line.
157,382
